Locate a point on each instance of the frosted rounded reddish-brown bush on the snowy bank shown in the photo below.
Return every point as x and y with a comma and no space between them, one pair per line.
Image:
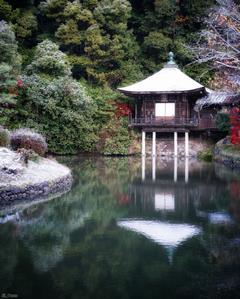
30,140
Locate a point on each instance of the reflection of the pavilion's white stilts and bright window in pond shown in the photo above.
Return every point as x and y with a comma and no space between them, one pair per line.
163,184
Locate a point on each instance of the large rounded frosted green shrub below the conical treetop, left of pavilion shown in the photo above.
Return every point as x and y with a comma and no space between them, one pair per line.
62,111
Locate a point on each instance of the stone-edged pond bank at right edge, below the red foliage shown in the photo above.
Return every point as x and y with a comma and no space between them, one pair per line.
227,154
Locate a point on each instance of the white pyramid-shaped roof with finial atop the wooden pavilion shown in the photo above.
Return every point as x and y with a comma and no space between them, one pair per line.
170,79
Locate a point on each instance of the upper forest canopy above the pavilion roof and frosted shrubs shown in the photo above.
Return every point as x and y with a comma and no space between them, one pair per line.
108,42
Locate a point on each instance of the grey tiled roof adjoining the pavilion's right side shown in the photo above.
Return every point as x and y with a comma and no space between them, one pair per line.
217,98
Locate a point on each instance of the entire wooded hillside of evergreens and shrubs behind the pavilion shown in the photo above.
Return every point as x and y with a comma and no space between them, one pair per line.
100,43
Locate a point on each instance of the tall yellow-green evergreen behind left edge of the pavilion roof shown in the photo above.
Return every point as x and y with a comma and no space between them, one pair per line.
96,37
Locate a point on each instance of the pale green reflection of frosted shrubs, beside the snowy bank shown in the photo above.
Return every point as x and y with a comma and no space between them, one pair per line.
46,228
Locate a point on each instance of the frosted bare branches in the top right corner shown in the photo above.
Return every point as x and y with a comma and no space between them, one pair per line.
219,44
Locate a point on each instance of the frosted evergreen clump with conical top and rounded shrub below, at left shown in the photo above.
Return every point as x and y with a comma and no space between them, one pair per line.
55,104
